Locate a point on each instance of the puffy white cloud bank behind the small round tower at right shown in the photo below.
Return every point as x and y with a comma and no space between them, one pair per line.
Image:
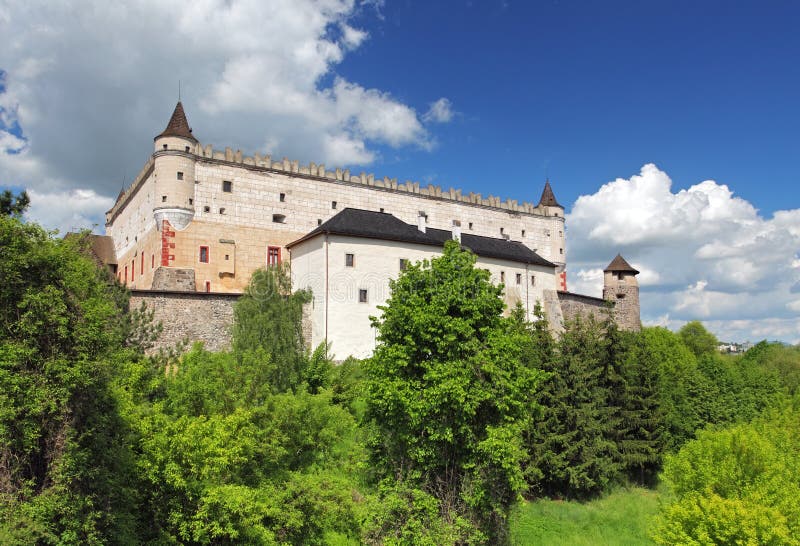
704,253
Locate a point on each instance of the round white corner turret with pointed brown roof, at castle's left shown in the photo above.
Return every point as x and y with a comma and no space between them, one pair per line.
174,172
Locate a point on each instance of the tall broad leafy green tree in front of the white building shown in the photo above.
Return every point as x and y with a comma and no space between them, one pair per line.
448,395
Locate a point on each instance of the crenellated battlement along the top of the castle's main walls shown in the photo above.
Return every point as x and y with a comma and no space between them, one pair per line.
320,172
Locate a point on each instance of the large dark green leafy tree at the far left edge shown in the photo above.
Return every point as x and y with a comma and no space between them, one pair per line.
65,469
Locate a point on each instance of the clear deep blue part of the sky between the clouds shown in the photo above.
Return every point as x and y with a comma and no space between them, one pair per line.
589,91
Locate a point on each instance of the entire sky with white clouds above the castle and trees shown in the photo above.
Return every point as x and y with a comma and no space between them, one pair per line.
668,129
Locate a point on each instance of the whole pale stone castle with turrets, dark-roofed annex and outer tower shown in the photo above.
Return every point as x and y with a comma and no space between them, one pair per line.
199,221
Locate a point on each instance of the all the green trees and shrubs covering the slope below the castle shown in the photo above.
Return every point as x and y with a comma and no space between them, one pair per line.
461,414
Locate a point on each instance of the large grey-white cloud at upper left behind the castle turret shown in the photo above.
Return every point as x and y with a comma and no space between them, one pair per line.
89,83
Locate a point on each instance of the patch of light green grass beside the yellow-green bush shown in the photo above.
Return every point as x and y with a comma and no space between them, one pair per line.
621,517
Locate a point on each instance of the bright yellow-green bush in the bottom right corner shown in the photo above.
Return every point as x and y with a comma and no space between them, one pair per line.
738,485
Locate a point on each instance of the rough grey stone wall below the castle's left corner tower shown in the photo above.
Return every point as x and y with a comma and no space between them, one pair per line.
190,316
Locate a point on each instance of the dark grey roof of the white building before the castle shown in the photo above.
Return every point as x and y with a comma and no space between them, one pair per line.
384,226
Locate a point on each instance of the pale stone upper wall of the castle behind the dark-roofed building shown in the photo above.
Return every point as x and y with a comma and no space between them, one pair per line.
245,215
